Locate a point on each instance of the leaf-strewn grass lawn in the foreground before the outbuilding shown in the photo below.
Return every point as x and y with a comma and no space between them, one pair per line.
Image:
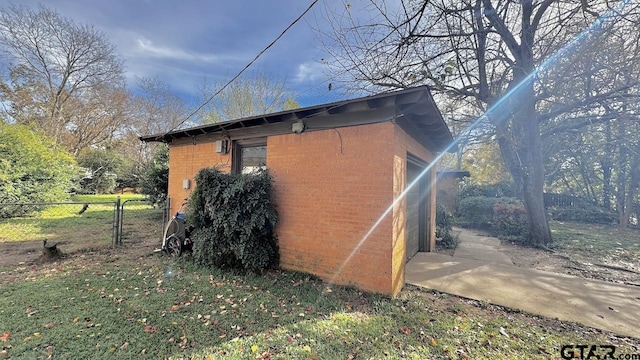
105,306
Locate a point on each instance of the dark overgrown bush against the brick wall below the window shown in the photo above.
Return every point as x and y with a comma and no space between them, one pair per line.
234,220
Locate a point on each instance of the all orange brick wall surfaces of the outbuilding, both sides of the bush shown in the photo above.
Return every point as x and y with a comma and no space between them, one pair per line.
330,188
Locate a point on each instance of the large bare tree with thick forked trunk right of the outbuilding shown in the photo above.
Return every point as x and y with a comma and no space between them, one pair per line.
477,50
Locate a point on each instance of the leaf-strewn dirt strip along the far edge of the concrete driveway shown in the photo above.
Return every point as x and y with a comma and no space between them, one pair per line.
576,265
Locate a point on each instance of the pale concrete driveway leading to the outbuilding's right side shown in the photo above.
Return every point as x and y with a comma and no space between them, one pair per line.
598,304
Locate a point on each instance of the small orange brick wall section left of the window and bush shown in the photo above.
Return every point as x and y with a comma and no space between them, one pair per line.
185,160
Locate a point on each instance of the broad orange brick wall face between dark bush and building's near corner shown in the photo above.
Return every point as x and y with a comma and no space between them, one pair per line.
330,189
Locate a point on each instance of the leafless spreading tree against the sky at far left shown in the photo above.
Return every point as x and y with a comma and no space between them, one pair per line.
54,64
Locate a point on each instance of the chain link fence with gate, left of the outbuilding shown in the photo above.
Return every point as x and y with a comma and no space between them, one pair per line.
77,226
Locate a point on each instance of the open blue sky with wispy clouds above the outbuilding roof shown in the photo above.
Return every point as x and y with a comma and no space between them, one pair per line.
182,42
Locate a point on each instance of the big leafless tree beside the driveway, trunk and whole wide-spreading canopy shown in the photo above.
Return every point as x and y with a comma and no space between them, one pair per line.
522,64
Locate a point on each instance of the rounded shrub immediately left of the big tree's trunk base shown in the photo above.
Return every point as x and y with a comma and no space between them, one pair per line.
510,218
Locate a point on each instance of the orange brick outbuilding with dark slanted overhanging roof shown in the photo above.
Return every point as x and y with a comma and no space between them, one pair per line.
339,170
